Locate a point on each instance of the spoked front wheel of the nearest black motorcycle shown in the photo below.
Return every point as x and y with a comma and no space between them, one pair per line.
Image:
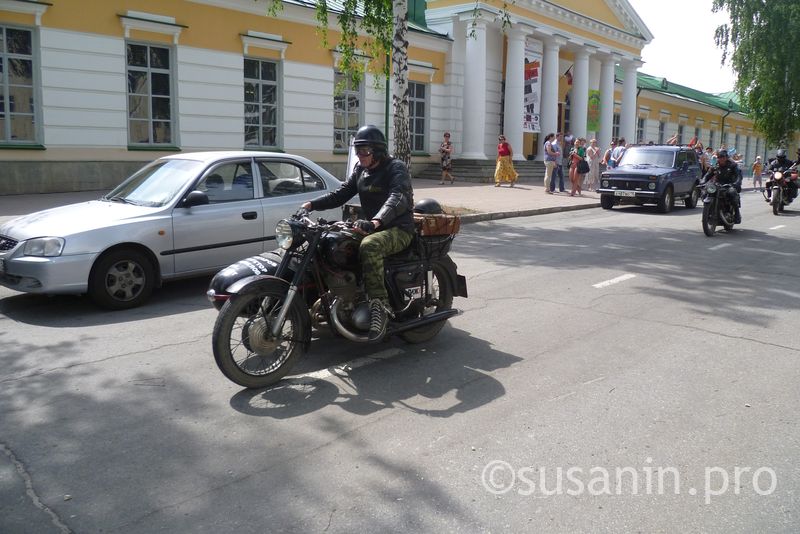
244,348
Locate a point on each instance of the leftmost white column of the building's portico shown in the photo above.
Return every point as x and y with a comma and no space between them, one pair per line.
475,93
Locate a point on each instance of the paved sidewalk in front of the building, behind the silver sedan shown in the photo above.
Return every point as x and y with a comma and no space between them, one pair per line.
476,202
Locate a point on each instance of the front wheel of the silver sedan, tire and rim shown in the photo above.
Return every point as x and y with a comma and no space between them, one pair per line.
121,279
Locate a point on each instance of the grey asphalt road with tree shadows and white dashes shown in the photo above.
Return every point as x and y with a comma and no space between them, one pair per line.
650,368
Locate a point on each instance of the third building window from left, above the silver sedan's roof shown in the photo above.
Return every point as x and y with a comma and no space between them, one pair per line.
261,91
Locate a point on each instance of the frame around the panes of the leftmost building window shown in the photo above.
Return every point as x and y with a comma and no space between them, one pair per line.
6,141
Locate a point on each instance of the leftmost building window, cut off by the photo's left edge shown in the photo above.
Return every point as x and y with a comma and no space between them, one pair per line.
17,110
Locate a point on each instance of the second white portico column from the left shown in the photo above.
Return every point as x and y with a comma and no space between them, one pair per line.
515,91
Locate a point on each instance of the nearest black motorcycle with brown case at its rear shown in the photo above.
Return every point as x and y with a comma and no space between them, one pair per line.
268,304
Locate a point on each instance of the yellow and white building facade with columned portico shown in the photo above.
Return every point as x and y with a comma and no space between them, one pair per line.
93,89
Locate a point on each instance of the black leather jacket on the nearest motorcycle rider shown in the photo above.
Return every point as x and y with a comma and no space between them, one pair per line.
385,193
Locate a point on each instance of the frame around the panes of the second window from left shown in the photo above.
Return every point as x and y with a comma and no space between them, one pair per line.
173,97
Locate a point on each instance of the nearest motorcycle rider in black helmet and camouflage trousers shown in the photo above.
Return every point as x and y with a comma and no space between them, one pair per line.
384,188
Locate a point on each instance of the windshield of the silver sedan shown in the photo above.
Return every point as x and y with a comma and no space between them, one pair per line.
156,184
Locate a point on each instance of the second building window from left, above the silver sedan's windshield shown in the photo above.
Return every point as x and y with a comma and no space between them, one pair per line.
150,102
